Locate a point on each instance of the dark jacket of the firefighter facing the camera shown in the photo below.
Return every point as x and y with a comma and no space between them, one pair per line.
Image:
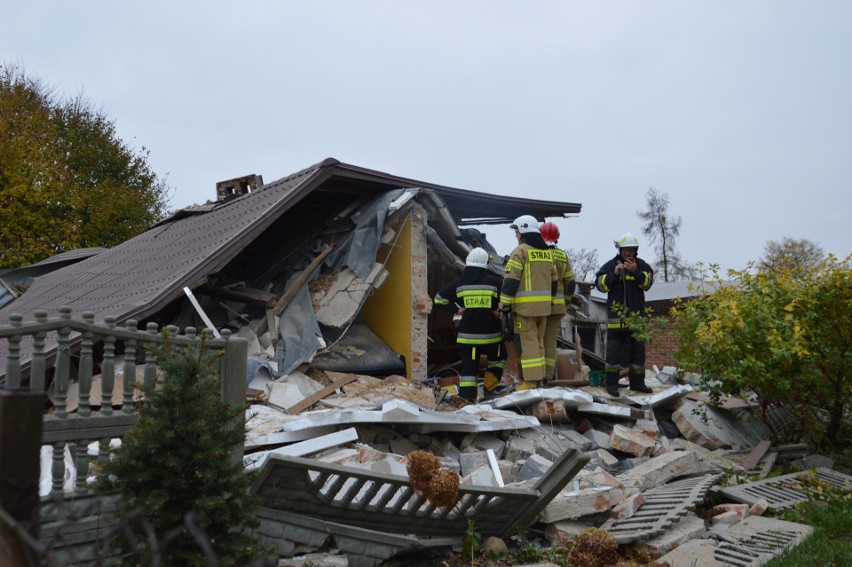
628,291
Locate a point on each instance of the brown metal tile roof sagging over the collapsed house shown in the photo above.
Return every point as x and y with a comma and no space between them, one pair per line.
141,276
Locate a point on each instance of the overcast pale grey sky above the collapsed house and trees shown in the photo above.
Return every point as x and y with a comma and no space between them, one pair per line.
738,110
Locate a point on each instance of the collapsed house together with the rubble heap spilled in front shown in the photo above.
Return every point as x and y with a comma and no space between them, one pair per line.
329,275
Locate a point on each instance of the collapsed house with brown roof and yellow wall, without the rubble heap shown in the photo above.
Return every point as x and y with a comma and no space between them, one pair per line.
333,258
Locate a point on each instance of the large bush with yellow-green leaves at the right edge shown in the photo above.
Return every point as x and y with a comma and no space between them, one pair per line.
786,338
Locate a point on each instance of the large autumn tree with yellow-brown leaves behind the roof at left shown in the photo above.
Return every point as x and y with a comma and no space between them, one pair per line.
66,179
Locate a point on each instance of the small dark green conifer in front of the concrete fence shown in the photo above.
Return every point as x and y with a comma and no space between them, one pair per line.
183,498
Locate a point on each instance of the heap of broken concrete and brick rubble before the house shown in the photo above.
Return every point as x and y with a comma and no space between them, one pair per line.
639,482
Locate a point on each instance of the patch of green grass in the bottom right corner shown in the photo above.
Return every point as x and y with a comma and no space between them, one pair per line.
831,543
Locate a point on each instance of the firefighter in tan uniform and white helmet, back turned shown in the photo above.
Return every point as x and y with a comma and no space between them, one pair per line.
529,287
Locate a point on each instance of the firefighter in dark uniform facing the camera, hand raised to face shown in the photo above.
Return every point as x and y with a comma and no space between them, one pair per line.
624,279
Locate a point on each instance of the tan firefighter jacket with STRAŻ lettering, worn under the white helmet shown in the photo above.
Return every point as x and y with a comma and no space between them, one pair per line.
530,282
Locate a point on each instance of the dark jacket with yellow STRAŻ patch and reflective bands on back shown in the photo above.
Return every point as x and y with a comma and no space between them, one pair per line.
477,291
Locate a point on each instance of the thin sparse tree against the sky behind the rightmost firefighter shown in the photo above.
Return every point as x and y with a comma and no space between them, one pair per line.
661,229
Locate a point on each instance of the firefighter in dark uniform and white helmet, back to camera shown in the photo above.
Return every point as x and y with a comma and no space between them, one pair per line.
475,297
